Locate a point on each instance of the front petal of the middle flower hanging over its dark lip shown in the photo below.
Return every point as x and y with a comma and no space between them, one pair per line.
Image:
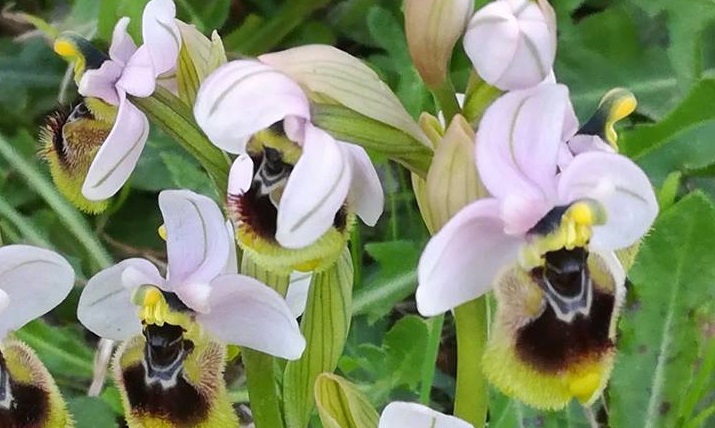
316,189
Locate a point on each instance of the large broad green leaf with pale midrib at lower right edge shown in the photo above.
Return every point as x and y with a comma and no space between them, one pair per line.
663,328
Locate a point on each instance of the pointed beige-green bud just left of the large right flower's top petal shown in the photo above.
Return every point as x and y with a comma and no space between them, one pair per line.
452,181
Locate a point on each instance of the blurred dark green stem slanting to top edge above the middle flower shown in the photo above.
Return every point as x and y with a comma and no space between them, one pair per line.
273,31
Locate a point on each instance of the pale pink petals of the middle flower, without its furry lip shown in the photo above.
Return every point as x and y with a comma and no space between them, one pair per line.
246,96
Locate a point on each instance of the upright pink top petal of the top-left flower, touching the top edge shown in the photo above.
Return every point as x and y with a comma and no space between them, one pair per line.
161,34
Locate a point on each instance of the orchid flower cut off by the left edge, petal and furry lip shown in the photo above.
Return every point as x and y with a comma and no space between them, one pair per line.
32,282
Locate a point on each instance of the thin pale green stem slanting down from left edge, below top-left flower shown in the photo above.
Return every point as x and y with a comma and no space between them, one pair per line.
76,224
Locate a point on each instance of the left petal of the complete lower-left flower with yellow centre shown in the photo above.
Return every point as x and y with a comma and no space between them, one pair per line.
105,306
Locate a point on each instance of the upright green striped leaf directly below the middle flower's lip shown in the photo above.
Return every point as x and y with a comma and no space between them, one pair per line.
325,325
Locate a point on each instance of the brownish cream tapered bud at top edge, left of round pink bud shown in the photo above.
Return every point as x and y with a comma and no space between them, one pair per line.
433,28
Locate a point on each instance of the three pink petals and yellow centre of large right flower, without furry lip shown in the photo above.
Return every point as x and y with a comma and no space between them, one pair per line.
600,199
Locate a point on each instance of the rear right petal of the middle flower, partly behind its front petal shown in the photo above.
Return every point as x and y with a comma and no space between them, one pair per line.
365,189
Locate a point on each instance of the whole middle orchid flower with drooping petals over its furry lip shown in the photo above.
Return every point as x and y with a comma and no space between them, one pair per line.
292,185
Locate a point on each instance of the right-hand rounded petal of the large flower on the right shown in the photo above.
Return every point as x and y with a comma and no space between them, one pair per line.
623,190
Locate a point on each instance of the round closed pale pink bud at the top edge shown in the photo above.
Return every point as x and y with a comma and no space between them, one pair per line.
512,43
